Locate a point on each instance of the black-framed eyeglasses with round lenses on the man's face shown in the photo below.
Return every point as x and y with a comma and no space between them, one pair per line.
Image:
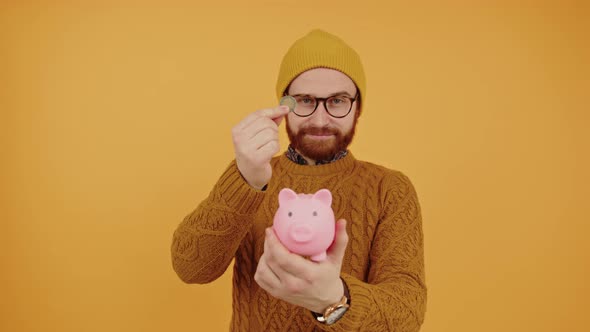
338,106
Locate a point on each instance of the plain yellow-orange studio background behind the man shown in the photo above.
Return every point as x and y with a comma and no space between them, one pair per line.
115,123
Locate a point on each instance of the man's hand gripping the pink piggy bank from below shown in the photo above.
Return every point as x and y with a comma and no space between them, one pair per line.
292,278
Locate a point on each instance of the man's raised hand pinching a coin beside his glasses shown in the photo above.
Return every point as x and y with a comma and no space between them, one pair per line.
256,141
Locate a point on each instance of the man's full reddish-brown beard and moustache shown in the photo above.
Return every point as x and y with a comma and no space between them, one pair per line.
320,149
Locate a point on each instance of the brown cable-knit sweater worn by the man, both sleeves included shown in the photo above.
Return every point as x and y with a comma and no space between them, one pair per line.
383,265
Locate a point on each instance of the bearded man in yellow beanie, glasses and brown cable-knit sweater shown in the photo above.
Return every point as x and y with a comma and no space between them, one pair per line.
373,276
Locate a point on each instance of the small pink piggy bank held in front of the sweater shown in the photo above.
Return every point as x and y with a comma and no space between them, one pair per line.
305,223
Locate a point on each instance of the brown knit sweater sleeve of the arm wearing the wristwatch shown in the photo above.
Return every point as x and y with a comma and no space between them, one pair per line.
394,296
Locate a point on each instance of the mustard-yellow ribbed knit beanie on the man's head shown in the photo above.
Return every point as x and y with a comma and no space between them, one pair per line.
320,49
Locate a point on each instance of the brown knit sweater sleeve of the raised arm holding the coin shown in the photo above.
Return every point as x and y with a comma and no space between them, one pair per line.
205,242
